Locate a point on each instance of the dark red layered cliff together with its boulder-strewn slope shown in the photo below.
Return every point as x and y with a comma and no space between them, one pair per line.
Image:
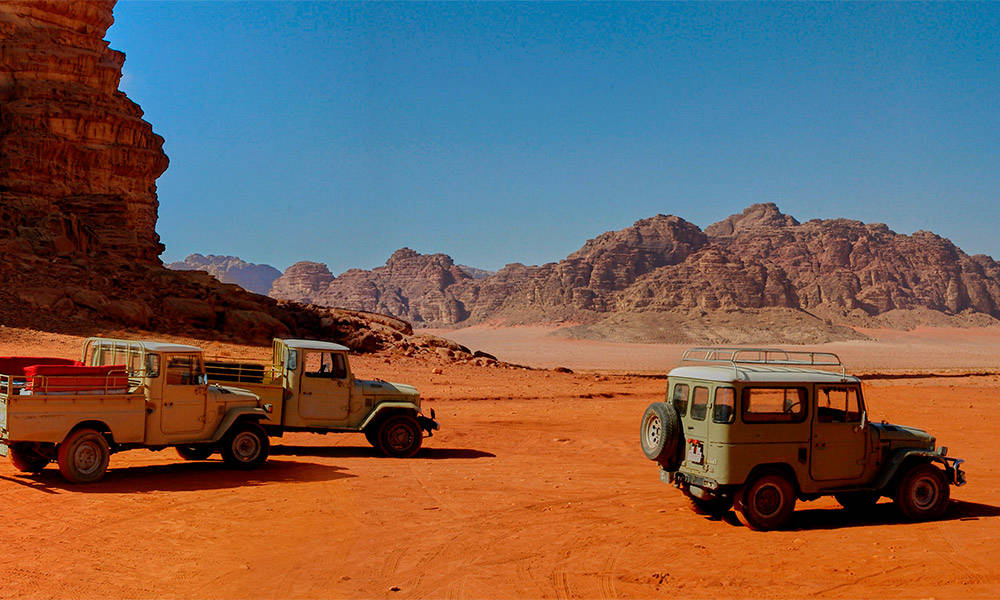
78,204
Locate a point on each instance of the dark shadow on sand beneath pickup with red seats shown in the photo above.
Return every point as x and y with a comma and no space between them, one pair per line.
183,477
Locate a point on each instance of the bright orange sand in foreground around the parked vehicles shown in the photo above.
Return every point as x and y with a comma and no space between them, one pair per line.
535,488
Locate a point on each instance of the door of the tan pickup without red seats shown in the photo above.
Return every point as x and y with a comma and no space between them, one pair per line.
325,387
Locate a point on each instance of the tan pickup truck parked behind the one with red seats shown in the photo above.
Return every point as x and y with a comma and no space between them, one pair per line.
311,387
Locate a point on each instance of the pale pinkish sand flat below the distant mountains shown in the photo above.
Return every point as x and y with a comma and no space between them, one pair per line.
923,349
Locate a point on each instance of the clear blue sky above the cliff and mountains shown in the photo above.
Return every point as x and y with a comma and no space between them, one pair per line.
502,133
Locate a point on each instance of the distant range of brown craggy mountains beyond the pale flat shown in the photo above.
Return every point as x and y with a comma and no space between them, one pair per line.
756,275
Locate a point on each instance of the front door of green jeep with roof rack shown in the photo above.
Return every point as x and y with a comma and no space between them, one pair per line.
839,443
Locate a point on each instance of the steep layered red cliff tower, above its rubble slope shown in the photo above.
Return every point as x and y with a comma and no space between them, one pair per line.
77,162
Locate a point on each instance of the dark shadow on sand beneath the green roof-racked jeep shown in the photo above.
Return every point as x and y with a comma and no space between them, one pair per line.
884,513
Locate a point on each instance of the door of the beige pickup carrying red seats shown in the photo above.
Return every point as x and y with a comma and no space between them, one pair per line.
184,395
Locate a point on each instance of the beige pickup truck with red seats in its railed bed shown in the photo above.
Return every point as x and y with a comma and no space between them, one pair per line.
121,395
